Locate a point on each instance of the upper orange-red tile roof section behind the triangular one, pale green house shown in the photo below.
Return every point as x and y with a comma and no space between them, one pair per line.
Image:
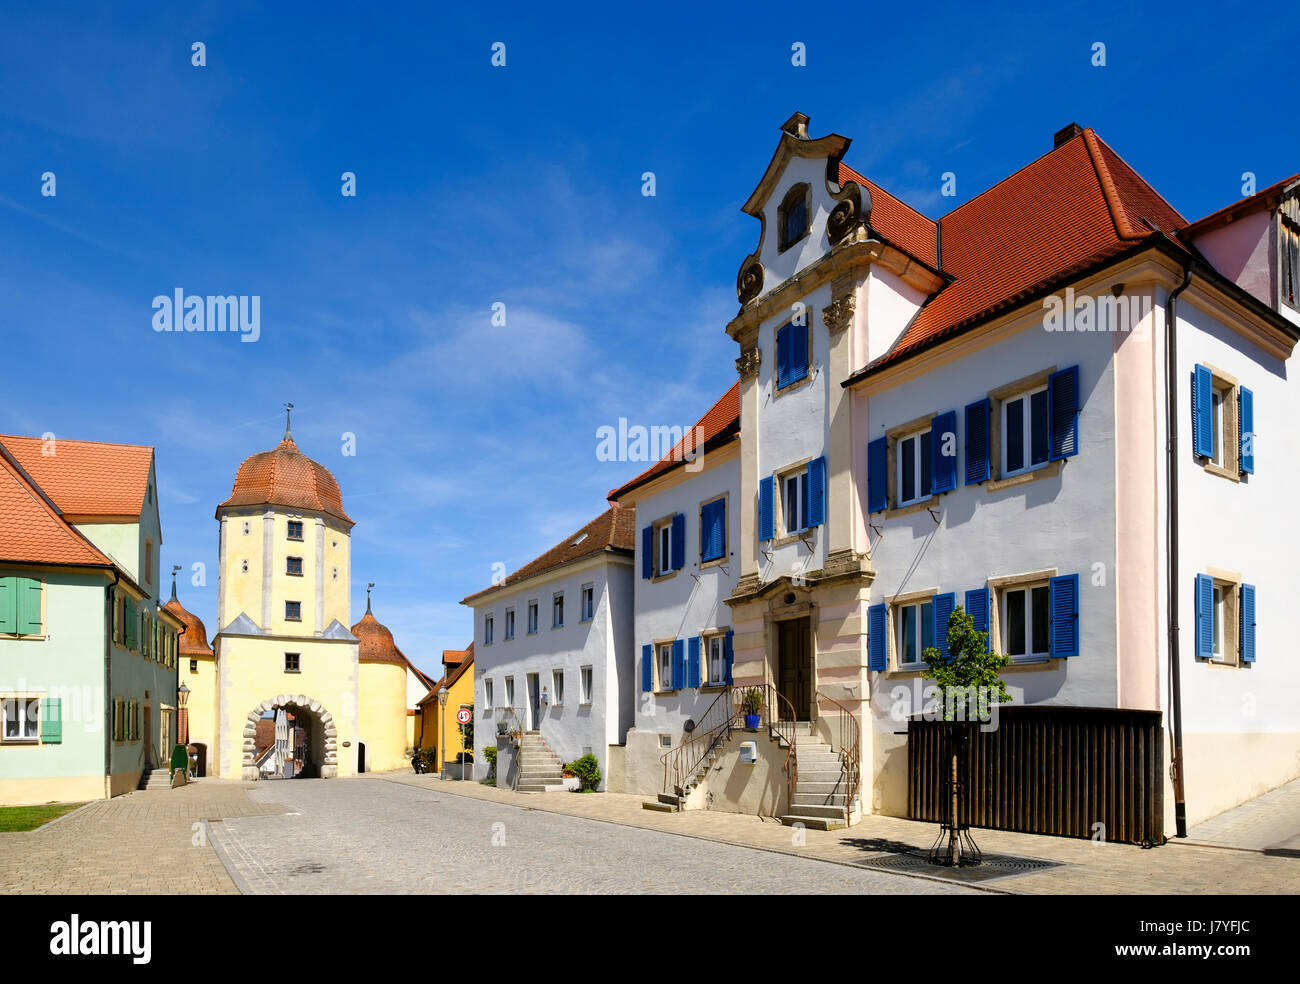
86,478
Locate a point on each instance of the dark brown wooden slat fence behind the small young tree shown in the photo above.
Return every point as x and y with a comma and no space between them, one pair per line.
1050,770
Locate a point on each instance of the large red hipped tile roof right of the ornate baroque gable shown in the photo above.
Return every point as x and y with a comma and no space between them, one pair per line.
1073,207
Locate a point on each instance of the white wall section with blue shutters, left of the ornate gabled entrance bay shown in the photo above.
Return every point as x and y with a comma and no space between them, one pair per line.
682,606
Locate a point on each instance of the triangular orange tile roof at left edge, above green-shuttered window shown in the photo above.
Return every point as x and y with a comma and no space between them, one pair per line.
32,530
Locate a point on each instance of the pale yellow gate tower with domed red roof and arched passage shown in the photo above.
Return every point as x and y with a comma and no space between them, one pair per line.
284,599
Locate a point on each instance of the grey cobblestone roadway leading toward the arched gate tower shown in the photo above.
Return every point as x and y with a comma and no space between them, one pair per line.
376,836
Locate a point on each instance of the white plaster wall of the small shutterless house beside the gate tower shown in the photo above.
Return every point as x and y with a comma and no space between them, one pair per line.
574,727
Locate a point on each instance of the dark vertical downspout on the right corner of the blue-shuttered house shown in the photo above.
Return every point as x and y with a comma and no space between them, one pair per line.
1176,691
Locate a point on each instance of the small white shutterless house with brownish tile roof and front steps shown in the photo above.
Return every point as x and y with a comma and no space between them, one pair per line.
553,648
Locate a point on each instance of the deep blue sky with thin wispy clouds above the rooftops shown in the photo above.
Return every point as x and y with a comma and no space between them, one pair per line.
521,185
